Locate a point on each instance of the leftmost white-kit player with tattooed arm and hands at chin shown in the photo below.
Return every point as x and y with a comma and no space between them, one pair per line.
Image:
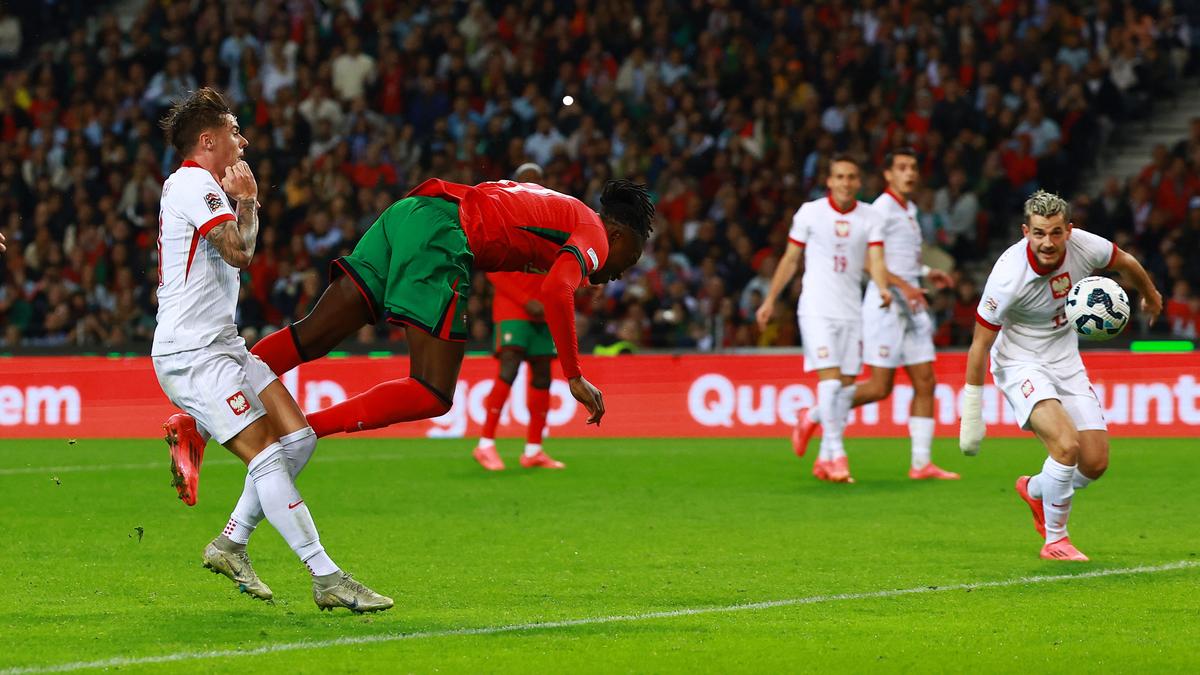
203,366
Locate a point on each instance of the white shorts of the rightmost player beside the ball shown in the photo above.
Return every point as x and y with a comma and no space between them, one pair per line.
1025,385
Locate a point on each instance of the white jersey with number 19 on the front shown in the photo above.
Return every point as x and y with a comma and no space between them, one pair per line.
835,256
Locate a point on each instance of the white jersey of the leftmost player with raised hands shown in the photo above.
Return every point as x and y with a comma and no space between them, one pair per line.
197,288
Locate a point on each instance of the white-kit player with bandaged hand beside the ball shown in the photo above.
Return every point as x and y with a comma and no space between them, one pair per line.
1035,360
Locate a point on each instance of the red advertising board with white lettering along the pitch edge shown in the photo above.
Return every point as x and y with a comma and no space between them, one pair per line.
689,396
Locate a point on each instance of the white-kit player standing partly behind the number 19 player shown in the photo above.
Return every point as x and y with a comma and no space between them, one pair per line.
903,333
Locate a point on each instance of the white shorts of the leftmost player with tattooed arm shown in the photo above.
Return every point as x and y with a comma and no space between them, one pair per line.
218,385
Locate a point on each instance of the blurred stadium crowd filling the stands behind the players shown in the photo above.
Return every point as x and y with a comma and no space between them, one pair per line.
727,111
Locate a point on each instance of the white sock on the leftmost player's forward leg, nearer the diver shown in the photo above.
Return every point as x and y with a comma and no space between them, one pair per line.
286,510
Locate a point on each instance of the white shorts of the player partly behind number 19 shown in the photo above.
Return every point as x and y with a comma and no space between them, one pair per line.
896,337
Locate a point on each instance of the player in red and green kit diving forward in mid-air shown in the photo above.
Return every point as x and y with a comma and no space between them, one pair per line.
413,267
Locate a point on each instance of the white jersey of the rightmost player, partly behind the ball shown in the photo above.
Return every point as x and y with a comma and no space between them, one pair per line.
1027,303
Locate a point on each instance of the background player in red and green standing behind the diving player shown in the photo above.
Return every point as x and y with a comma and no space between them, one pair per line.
521,334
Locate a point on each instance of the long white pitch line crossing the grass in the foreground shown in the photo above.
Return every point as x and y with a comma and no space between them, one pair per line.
122,662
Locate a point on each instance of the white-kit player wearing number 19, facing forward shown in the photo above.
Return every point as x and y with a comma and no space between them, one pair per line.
837,235
